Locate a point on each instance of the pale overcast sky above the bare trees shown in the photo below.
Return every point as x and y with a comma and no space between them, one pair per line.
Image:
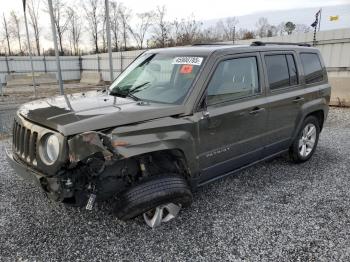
200,9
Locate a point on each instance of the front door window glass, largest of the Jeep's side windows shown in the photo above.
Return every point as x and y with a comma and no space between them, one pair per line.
233,79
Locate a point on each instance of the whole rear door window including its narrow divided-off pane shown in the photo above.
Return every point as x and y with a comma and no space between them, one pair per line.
281,71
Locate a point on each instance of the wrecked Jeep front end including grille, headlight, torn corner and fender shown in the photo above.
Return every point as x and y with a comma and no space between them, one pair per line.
93,165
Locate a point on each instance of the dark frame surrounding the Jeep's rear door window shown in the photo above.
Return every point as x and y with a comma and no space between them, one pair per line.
297,66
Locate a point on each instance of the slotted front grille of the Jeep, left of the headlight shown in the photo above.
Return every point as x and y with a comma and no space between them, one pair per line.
25,143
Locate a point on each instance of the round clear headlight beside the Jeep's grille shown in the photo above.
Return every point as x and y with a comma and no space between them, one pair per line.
50,149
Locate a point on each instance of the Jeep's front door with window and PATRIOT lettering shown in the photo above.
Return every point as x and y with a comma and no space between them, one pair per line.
233,128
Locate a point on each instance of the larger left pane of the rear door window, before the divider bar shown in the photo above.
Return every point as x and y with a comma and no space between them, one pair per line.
277,71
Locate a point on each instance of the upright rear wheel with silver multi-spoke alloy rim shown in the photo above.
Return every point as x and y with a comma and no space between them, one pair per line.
306,141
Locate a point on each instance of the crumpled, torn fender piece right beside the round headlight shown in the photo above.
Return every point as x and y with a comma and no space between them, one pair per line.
86,144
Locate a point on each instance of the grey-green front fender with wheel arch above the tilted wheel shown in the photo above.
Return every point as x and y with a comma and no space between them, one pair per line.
168,133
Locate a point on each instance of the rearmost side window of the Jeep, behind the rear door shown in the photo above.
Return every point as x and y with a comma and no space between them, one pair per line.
312,67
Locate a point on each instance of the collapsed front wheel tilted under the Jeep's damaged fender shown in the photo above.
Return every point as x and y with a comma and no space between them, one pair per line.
159,199
